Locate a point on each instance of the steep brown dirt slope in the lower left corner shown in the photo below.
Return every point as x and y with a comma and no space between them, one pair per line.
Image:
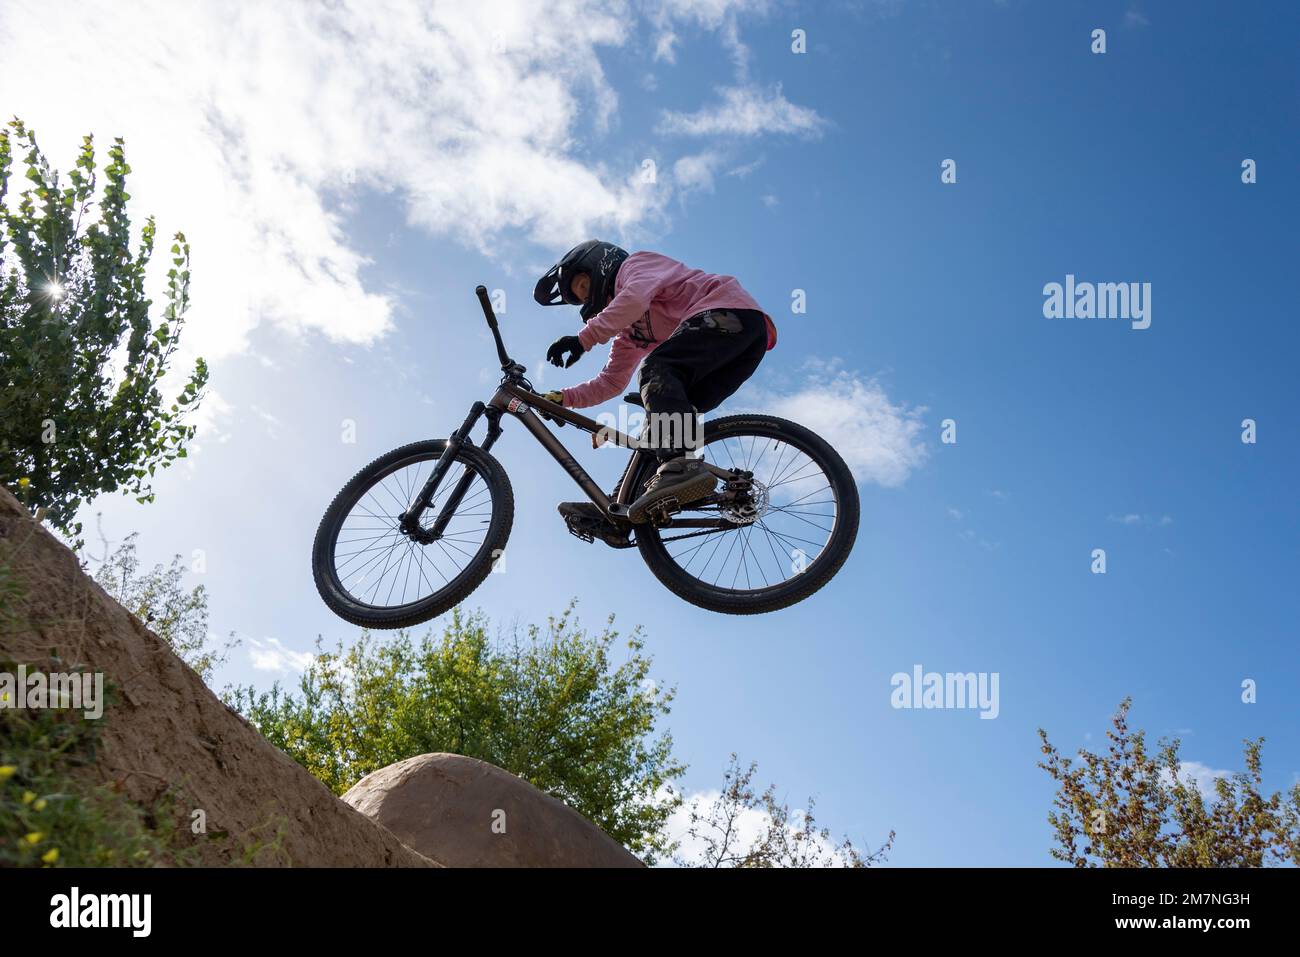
170,730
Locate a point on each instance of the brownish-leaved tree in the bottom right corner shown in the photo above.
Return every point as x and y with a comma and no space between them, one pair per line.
1133,809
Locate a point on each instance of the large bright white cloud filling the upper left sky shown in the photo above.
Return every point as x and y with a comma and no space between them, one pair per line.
248,124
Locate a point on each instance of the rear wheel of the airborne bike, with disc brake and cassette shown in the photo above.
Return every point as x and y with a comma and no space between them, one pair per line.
800,535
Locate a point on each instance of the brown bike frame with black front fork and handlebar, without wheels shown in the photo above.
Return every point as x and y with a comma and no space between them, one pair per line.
514,399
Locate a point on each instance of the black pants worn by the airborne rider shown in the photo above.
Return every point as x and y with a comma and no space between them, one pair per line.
705,361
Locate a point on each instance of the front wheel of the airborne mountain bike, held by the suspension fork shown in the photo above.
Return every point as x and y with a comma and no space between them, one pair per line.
371,574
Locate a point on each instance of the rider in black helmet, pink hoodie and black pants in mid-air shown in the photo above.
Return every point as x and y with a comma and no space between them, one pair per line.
701,337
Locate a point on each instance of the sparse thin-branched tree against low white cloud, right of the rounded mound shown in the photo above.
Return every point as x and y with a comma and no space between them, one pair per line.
743,829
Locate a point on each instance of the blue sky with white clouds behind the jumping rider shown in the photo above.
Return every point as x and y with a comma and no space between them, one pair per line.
348,175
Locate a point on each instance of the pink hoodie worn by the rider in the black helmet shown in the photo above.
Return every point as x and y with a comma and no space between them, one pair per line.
652,296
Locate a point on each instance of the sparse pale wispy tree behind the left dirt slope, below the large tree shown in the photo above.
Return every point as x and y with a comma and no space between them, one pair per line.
161,600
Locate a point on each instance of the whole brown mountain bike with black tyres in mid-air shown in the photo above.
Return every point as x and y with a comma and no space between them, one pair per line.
421,529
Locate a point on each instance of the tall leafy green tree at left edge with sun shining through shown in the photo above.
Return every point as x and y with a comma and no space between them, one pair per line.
81,361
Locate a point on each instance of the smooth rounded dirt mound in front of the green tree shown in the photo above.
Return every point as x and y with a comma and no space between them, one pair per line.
473,815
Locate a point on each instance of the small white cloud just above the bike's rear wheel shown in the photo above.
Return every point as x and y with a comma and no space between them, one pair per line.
879,440
